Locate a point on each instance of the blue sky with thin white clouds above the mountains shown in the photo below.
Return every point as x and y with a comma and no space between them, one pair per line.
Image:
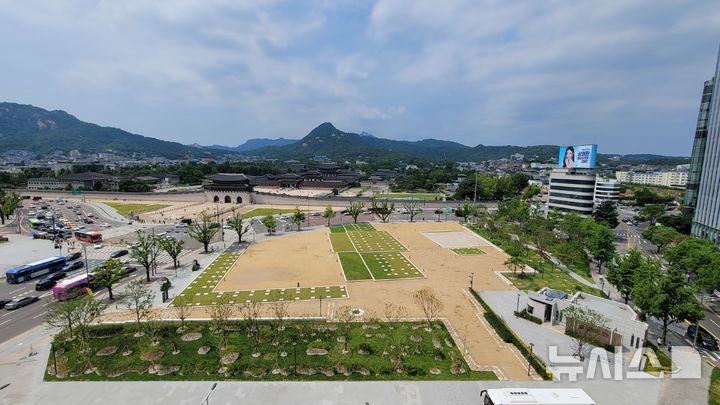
625,74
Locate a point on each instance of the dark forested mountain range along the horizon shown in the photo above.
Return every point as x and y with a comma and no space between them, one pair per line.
31,128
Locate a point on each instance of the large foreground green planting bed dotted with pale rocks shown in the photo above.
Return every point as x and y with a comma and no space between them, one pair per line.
263,353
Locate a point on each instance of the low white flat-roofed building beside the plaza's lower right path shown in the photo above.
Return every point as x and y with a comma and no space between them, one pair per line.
621,327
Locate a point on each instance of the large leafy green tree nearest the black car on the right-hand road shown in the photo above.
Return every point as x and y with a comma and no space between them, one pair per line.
668,297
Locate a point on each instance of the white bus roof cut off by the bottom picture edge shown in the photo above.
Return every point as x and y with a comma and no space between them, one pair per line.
535,396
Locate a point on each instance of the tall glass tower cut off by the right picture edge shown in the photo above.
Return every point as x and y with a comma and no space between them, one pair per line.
706,220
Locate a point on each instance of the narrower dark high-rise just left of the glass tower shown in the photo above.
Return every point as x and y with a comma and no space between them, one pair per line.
696,160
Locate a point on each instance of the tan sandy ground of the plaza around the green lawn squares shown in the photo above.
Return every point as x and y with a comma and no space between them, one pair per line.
307,257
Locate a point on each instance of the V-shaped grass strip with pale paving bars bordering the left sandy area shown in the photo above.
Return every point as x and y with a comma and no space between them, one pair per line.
200,290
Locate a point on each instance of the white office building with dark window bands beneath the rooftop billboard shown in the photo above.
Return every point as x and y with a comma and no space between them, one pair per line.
572,191
